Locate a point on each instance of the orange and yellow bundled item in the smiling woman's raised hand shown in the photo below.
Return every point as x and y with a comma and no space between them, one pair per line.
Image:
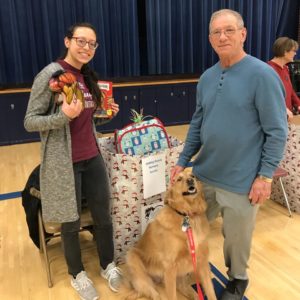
65,82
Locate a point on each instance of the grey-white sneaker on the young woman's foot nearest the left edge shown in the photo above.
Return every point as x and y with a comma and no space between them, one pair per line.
84,287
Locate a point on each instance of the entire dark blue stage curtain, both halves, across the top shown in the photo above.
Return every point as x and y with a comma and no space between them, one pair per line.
137,37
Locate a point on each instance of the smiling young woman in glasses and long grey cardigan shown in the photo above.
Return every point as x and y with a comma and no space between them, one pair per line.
71,163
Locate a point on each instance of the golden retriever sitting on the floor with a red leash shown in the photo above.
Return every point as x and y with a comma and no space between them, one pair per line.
162,254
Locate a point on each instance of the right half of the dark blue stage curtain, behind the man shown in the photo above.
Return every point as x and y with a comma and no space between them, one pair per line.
177,31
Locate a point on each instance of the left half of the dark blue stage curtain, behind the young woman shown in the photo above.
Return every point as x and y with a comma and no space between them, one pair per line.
32,32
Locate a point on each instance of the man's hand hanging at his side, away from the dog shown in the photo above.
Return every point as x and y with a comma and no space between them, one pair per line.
260,191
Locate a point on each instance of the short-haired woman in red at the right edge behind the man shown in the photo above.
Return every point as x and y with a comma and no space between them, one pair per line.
284,50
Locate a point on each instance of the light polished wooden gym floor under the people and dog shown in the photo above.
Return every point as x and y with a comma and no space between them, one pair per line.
274,267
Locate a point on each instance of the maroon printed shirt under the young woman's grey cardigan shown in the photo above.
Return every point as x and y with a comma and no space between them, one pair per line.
84,145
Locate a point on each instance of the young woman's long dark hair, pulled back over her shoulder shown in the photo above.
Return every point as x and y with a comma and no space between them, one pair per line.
90,76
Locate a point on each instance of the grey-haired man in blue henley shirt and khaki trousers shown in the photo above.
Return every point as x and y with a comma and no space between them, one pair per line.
240,125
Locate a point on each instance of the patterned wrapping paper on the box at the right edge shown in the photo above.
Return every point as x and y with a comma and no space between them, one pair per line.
291,163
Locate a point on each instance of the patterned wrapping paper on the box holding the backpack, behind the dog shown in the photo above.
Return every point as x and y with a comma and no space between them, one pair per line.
128,204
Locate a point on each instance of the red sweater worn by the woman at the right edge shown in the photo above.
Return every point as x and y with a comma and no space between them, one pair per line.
291,98
